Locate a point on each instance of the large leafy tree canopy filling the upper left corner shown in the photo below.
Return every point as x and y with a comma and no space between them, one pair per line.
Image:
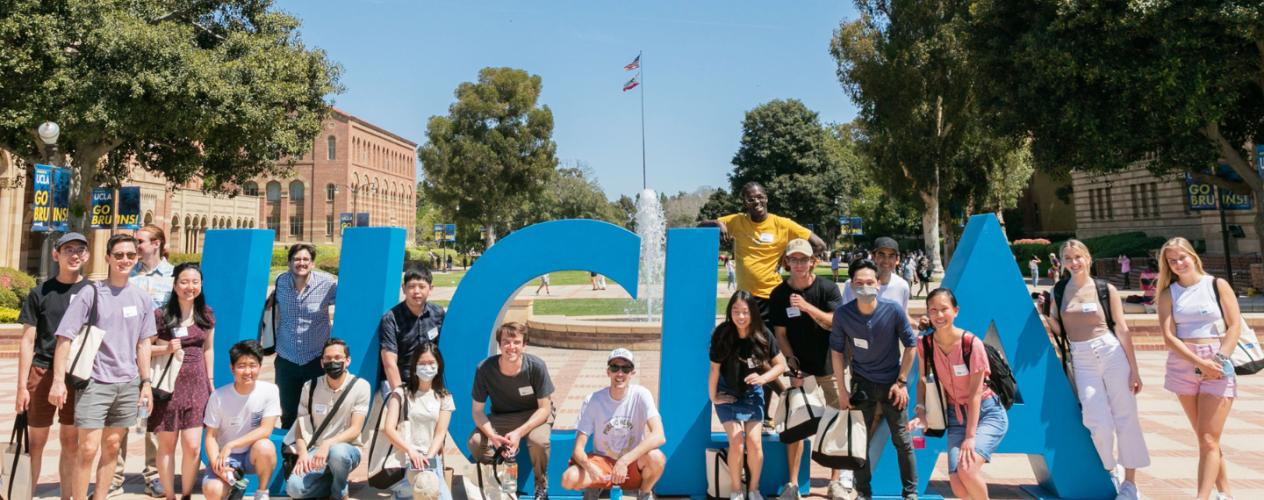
209,90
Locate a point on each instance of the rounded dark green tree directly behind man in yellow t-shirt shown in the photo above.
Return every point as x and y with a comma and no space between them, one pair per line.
784,148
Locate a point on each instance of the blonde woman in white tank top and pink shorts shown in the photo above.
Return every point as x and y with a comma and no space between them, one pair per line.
1196,364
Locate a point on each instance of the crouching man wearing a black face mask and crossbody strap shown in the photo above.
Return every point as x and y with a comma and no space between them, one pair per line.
325,461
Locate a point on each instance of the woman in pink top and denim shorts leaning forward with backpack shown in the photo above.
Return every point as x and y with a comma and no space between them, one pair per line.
976,420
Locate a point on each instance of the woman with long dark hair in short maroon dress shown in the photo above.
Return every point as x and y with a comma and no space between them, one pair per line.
188,325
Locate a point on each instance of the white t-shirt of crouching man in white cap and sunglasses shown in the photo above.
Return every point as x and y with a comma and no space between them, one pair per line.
616,427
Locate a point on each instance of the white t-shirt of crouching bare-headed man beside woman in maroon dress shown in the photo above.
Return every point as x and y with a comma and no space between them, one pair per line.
236,415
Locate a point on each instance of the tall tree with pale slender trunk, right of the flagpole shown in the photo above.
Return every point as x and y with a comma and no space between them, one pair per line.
904,65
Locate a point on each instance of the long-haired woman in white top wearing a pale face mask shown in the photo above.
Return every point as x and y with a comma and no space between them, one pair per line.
430,408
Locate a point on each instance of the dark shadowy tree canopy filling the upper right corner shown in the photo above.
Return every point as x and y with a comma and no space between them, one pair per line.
1175,86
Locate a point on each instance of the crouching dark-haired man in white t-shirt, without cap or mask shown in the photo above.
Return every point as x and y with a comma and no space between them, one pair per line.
240,422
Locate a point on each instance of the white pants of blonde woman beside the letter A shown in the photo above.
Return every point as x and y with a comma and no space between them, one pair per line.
1103,376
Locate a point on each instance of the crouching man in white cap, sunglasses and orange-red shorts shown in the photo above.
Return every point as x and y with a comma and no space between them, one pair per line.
628,432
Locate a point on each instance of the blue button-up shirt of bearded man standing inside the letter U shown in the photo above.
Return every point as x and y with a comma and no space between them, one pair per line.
305,325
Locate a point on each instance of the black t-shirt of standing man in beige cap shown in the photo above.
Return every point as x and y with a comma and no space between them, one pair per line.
810,342
